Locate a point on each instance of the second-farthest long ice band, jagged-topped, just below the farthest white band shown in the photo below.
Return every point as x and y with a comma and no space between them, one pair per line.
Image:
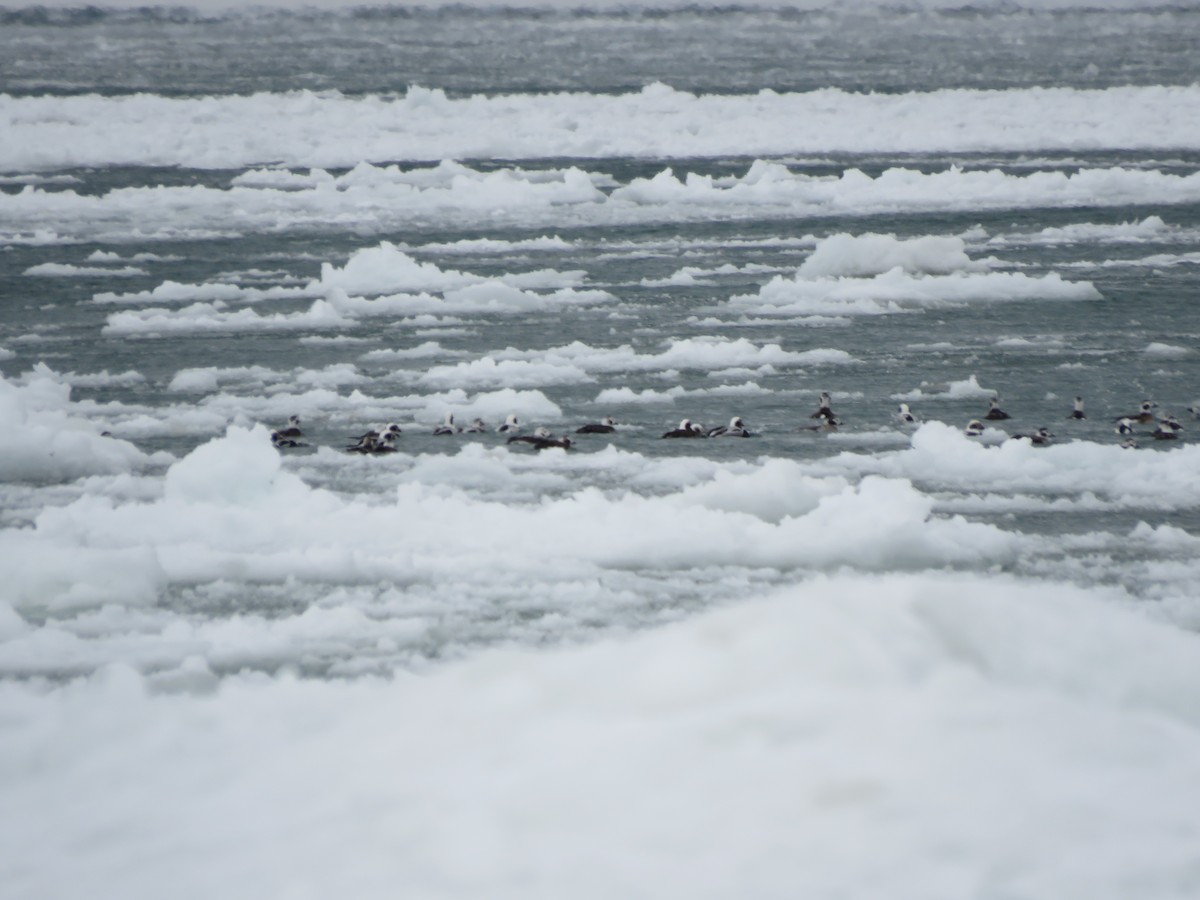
383,202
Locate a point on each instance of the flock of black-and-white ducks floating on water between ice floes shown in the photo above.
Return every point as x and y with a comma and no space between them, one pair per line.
382,439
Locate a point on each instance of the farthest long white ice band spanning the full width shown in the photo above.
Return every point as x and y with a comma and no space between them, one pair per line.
57,133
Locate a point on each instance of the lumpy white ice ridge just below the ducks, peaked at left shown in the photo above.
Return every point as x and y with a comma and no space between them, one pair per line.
271,526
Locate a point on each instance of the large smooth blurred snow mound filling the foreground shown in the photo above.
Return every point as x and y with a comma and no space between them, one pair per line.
979,736
